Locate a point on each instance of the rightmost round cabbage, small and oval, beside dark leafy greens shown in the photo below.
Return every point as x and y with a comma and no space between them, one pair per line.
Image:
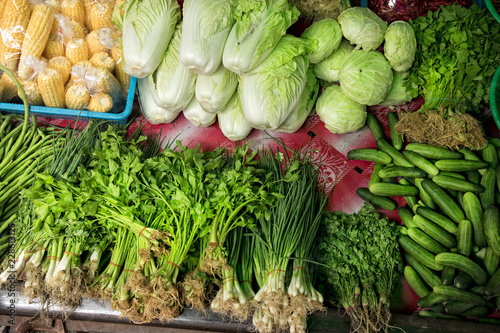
400,45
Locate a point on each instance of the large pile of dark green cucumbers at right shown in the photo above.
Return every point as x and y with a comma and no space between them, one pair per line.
452,222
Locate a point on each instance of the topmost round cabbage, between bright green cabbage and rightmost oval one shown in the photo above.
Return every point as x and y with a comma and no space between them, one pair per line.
362,27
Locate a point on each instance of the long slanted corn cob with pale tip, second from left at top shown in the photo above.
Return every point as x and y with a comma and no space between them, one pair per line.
36,37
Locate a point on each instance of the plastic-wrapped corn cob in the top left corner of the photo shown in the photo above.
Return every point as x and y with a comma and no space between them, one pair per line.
13,26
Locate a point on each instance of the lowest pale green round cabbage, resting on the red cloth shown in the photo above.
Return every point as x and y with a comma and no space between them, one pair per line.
339,113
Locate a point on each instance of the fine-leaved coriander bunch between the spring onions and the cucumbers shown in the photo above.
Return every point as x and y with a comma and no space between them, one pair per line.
361,254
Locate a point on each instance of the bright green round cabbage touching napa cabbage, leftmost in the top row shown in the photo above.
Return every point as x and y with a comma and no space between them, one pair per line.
327,35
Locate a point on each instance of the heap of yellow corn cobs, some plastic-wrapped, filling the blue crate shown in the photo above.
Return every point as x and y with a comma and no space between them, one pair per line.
65,53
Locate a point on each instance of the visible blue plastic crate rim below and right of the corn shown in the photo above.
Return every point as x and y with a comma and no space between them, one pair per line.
56,113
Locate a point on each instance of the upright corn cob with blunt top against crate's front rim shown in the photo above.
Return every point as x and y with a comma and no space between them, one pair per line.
51,88
